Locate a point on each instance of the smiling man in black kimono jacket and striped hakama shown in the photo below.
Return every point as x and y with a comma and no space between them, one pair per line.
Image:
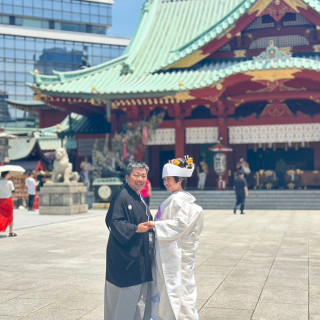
128,270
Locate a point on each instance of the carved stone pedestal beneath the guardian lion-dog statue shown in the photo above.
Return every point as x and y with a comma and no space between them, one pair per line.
63,199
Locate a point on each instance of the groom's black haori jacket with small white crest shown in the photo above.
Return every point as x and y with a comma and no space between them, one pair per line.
128,258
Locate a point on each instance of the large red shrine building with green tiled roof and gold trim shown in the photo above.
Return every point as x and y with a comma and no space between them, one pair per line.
245,73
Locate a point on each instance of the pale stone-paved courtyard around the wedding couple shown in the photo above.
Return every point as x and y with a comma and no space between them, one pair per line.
264,265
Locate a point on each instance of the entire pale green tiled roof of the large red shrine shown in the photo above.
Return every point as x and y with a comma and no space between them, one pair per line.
167,31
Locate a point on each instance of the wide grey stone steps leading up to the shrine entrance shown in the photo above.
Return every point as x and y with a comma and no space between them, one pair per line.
257,200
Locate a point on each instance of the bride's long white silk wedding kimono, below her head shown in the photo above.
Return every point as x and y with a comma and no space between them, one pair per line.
177,237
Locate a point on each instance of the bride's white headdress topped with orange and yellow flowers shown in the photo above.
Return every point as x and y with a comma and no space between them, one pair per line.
178,168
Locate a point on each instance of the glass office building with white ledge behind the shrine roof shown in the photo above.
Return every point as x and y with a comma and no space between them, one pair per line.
46,35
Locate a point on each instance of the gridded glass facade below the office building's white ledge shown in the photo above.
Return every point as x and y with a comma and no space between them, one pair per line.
24,54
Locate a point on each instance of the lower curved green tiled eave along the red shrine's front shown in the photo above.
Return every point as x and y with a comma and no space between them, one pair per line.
170,81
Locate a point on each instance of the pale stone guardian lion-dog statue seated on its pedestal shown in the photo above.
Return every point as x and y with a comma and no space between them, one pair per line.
62,168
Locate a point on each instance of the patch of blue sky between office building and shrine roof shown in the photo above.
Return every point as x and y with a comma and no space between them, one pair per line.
125,17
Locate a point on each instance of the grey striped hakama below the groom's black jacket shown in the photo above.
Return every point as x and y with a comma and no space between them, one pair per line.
128,303
